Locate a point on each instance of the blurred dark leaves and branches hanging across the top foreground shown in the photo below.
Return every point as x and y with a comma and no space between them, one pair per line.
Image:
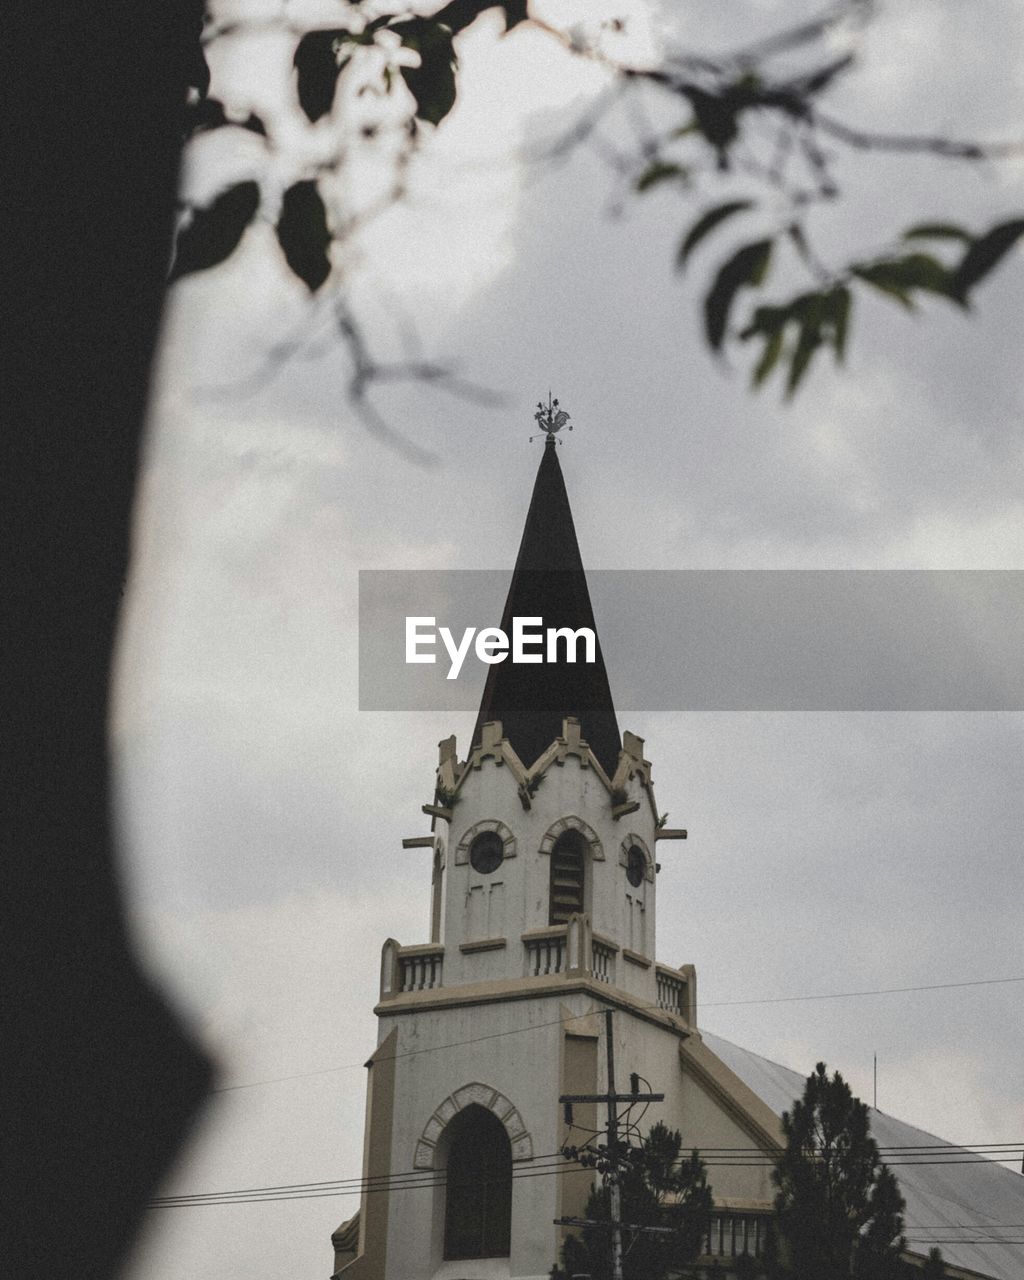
743,121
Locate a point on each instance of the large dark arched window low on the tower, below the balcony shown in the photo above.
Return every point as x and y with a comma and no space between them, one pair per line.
478,1200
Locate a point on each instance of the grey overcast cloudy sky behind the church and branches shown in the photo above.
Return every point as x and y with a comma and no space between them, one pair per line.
828,853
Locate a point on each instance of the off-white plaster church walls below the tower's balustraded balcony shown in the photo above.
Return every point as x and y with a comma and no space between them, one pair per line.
514,1048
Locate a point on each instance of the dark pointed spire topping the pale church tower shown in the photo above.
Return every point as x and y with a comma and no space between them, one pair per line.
548,583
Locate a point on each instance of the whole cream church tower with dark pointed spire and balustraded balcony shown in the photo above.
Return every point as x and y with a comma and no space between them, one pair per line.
543,917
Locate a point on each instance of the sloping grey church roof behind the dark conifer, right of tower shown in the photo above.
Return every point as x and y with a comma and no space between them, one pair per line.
963,1208
